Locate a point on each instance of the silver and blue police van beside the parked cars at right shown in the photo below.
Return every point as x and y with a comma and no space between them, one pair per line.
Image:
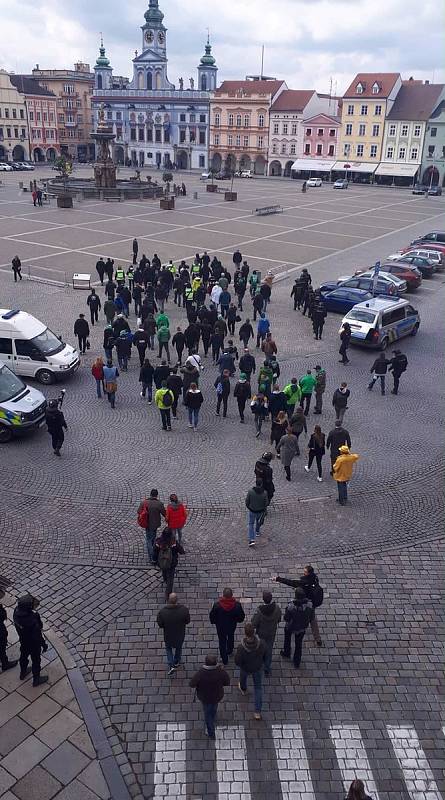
380,321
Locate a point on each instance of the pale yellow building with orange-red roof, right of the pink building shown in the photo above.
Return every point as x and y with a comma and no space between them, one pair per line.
366,103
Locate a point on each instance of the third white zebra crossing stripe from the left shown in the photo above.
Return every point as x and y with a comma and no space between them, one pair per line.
292,762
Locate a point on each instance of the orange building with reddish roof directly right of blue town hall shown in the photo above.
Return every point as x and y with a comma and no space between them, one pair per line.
239,124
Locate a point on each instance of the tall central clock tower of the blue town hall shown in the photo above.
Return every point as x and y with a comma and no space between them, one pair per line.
150,67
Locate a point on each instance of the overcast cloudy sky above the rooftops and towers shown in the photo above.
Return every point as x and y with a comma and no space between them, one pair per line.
307,42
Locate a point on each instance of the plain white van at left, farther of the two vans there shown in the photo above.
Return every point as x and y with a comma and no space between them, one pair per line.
29,348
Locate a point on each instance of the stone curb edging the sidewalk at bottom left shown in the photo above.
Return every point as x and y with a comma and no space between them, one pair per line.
107,761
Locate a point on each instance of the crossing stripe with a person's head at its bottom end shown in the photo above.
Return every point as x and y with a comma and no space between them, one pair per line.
351,757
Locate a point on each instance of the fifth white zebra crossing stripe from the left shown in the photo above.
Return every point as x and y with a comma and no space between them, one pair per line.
417,774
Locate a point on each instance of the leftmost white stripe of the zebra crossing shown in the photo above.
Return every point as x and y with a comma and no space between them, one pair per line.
170,778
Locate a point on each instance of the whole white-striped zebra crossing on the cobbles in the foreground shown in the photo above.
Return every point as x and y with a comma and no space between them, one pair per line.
176,752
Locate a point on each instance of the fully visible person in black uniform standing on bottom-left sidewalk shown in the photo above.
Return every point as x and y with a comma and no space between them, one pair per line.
29,628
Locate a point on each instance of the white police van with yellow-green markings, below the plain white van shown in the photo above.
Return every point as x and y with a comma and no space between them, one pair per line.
22,408
